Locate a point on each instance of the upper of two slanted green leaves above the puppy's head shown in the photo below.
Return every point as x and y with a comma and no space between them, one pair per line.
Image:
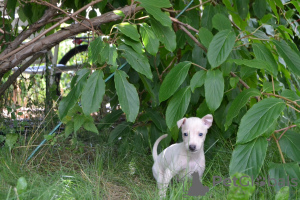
173,80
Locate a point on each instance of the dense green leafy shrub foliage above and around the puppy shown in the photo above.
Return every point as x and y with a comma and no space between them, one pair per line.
236,59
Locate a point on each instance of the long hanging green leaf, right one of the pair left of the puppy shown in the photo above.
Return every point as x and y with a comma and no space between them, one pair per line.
128,96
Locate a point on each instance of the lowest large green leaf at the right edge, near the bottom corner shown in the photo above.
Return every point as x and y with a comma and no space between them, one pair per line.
287,174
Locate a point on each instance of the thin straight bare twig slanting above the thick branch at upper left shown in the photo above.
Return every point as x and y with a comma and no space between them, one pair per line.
49,29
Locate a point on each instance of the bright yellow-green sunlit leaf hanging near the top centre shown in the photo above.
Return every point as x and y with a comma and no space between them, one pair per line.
149,39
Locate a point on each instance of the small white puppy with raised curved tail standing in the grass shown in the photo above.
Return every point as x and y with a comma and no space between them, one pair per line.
182,158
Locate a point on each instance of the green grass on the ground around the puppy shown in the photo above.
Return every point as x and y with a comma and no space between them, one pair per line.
95,169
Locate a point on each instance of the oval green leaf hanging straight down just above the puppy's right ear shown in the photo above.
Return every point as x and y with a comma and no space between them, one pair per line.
214,89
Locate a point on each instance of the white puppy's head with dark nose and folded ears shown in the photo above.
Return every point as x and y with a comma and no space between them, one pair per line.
194,131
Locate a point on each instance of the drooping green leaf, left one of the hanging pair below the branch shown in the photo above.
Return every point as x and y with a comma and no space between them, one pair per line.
93,93
